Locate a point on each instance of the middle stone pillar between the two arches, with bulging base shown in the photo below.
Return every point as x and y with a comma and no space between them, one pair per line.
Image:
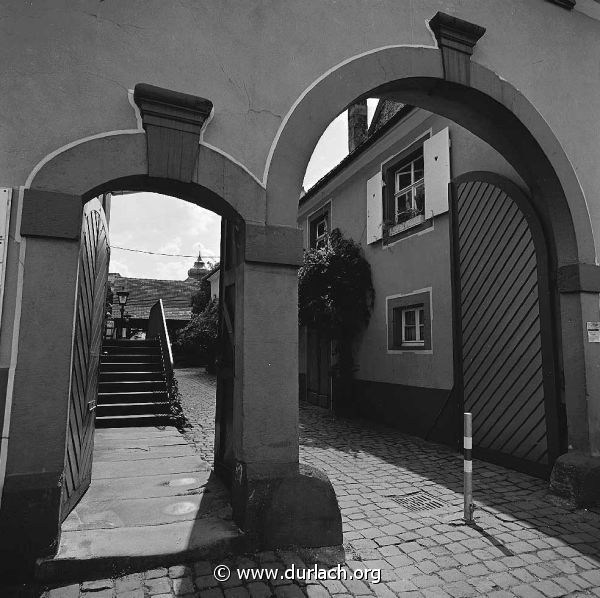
277,501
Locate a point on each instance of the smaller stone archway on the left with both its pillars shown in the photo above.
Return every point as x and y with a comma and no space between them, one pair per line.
260,462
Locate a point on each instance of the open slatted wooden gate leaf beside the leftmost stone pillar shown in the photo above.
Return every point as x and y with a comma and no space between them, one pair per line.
87,343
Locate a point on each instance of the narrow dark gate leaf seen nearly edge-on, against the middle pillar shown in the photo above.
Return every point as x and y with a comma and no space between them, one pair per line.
231,258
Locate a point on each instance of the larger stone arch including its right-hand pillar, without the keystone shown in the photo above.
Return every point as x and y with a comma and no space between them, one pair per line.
497,112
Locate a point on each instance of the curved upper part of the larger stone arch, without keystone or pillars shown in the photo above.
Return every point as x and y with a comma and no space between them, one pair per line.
490,107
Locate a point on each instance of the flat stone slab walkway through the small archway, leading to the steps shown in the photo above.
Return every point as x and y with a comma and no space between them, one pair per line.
120,525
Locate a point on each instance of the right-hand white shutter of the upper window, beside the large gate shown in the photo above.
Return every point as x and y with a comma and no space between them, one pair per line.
436,153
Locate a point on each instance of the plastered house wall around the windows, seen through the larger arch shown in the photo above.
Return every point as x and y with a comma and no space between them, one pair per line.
413,263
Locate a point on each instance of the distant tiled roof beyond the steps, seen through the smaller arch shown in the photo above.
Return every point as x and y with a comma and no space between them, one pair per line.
145,292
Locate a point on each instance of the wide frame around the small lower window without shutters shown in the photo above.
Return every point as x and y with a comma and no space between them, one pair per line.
398,305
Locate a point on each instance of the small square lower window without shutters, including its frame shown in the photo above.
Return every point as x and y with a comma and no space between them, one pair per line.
409,322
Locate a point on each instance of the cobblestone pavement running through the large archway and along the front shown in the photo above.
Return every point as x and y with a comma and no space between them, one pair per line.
401,504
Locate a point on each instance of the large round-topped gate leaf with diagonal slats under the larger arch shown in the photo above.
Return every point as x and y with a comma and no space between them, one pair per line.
505,343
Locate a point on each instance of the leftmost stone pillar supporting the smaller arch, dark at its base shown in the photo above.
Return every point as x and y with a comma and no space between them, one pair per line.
30,510
